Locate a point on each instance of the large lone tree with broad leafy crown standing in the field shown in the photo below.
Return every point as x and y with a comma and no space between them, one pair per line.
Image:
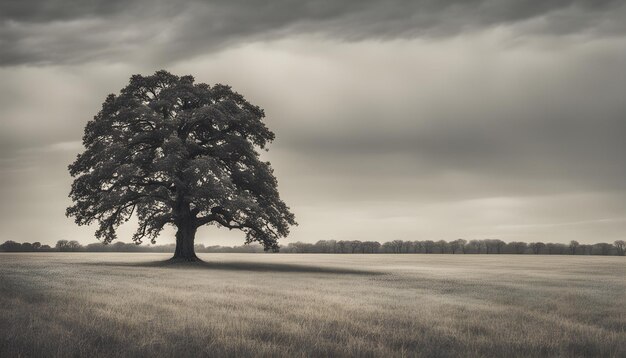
176,152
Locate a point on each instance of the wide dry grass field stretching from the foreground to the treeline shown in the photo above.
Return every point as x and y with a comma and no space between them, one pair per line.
312,305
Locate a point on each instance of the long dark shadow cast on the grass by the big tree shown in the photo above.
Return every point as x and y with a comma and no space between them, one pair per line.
239,266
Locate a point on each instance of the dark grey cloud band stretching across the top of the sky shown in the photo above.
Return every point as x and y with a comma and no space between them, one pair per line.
72,31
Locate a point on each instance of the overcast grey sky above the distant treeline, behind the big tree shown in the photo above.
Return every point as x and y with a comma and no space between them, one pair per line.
394,119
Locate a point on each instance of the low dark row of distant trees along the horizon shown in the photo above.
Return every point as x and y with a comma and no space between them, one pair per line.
459,246
